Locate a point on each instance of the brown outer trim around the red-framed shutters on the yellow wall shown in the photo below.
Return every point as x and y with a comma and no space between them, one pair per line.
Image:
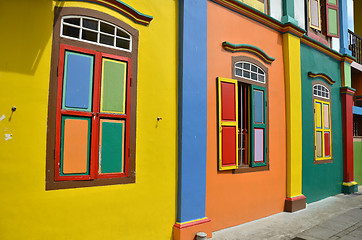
59,12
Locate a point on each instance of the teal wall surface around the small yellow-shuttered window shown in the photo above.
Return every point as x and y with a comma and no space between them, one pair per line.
320,180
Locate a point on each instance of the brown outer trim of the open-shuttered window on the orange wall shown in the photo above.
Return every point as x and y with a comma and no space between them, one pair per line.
244,168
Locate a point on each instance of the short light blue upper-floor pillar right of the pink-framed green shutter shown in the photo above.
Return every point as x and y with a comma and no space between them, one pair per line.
343,28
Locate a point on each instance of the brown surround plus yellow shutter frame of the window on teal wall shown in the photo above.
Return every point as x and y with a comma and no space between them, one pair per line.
328,101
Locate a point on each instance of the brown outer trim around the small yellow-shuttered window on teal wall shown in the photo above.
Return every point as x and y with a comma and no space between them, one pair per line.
330,110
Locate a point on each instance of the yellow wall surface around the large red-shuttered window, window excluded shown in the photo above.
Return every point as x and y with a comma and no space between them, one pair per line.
144,210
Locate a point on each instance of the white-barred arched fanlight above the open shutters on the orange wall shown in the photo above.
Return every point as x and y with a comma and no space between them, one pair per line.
249,71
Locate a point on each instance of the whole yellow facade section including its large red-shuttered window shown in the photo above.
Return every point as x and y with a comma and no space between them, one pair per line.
46,52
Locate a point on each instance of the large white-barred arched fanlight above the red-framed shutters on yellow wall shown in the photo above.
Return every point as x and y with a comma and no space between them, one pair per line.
95,31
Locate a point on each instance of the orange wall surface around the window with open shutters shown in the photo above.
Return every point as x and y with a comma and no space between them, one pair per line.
232,199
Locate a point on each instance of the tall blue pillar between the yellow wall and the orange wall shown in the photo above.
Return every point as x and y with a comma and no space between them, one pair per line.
192,118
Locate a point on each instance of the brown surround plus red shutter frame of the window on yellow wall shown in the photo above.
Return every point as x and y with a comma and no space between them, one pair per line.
53,110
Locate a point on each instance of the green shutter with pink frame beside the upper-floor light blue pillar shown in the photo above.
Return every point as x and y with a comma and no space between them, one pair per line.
332,18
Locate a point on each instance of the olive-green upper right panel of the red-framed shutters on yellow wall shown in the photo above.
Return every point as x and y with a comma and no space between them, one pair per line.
113,86
